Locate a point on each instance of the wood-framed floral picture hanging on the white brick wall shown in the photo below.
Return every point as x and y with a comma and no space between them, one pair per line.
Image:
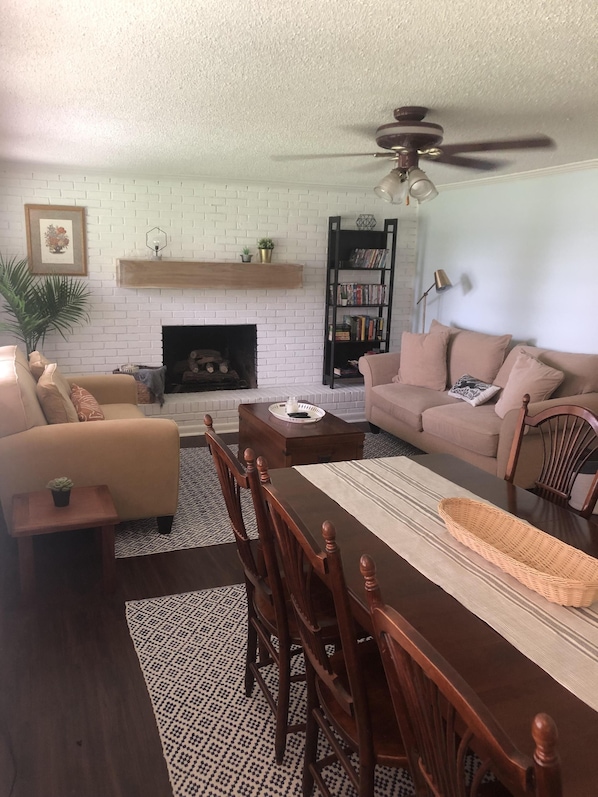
56,240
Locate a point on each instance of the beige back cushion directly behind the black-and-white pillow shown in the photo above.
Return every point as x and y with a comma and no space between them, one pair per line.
474,353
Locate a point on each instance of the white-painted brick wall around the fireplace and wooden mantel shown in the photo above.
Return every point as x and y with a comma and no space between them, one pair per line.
207,221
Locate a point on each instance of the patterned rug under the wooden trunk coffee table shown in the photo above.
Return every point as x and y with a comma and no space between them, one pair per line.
201,517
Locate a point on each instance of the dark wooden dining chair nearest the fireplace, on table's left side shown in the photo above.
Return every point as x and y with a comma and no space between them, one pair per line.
269,632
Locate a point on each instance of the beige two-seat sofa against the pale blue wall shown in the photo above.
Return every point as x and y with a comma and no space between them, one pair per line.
437,423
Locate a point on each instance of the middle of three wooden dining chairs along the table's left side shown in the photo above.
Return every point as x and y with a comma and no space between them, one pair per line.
347,696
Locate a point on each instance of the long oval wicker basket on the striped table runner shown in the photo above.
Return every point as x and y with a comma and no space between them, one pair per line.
559,572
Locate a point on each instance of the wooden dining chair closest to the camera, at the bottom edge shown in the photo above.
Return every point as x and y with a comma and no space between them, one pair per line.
443,722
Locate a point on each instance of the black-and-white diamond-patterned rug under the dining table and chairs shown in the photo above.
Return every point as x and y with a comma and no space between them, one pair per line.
216,741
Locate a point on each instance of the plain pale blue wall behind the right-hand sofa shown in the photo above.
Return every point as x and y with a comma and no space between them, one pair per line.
522,255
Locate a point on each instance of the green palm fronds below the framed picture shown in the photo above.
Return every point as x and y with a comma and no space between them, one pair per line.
35,306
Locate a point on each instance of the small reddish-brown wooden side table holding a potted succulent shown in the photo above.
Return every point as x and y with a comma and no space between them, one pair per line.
35,513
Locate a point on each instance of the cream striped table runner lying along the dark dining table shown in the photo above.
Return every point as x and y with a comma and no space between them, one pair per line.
397,500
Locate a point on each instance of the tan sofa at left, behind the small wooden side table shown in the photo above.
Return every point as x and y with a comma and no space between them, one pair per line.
137,457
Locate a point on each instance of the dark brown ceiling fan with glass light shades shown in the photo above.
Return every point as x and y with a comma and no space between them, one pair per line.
409,138
